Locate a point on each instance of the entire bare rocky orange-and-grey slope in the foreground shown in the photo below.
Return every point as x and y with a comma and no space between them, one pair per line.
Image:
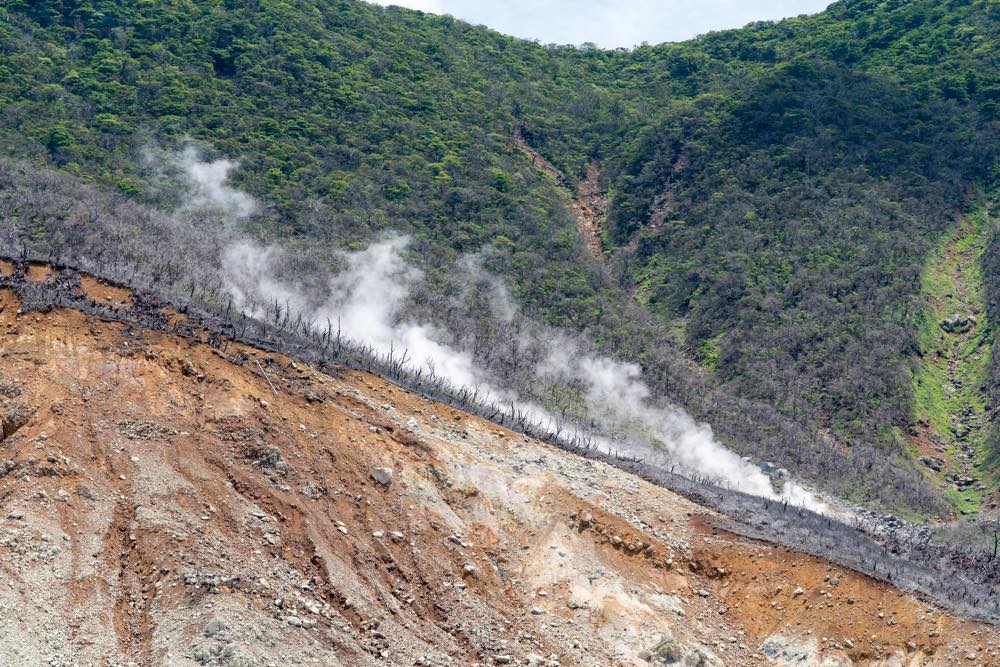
162,505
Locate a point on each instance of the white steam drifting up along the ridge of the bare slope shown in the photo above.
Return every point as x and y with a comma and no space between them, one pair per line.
366,301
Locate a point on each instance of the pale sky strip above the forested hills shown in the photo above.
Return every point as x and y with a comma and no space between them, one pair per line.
612,23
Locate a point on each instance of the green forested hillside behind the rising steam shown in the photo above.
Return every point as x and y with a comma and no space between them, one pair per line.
775,192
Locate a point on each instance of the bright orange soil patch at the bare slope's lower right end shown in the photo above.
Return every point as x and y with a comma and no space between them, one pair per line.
776,591
